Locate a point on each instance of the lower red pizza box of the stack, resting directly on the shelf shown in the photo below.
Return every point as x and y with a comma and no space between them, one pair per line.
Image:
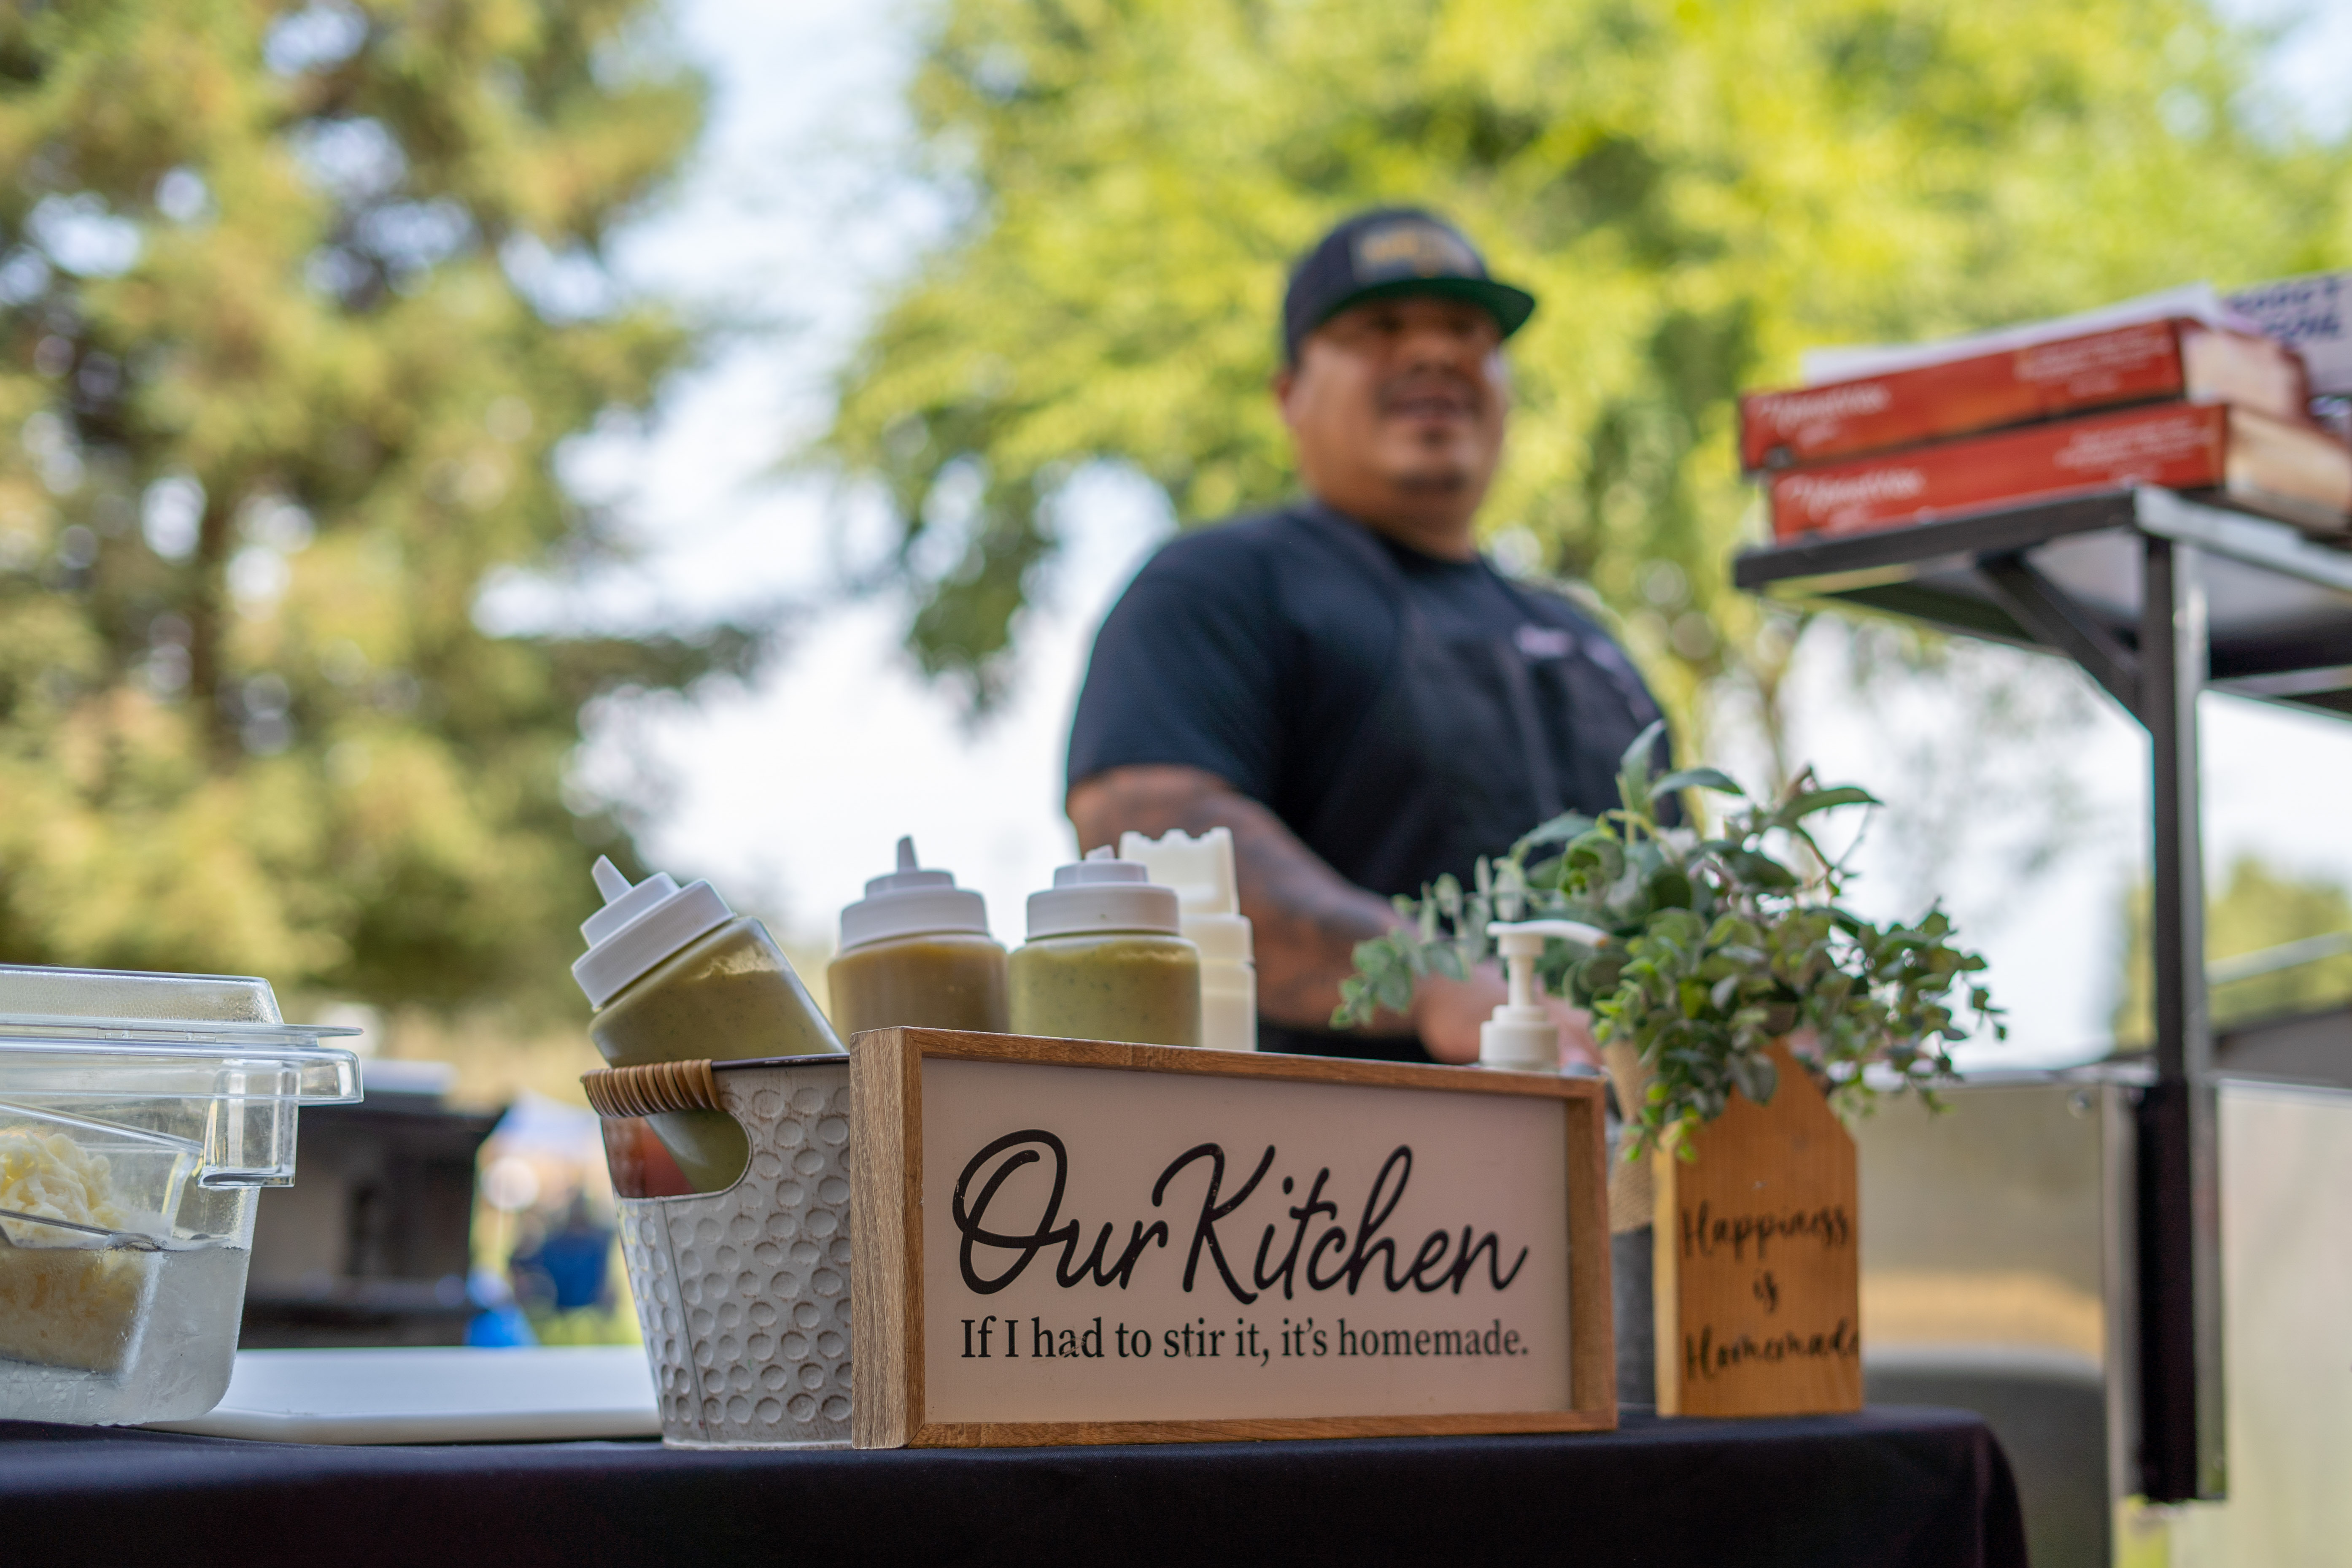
2266,464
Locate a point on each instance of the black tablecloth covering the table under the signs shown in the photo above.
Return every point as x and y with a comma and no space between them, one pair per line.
1892,1489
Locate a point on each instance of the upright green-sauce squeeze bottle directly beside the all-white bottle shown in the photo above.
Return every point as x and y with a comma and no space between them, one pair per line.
1104,960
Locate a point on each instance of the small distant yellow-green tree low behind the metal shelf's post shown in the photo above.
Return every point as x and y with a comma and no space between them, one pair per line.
2259,909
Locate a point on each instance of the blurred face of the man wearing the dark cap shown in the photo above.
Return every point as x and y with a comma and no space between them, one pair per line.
1398,406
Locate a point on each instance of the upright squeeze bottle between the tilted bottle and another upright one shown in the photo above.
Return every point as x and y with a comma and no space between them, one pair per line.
916,951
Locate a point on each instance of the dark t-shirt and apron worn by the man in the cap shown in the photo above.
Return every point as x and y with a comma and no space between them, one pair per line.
1401,713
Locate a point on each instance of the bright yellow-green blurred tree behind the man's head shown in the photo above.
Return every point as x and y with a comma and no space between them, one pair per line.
1697,192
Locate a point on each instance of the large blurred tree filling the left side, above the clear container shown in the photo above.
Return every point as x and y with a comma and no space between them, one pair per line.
295,309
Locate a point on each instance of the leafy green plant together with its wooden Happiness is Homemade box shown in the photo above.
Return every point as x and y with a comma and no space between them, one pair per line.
1730,953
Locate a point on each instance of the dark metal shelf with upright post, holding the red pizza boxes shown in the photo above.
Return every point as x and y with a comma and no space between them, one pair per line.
2158,598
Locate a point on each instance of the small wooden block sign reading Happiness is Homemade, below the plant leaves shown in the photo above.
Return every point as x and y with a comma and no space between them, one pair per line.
1758,1282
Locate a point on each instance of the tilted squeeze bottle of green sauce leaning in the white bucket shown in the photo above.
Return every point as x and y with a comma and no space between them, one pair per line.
674,977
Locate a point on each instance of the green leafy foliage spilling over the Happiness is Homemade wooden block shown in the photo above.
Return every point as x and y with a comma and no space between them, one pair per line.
1720,946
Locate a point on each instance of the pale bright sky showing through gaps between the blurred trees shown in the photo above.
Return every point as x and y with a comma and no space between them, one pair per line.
794,789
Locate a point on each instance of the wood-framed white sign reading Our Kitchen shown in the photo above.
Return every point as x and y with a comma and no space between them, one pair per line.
1076,1242
